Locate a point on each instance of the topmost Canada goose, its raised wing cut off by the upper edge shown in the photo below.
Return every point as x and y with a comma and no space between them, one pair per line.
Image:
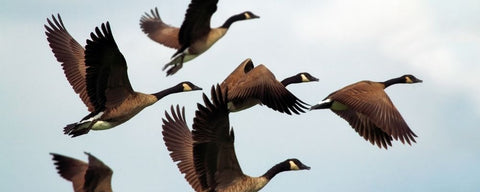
194,36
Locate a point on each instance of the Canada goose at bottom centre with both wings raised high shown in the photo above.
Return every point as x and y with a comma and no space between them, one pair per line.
207,154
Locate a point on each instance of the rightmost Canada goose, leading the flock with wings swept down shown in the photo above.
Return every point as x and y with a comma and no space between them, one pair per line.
369,110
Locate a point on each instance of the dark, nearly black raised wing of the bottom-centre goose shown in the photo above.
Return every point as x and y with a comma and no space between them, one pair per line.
214,154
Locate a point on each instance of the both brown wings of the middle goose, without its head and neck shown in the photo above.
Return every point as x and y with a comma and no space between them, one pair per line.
249,85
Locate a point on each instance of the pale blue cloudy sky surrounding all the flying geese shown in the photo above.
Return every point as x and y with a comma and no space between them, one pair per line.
340,42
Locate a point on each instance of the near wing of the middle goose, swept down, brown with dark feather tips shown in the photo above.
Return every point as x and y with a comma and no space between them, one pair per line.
260,83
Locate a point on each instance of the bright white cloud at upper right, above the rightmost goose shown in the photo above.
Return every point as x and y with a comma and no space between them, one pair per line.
404,31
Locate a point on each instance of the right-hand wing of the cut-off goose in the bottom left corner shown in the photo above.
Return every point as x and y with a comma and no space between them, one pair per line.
98,176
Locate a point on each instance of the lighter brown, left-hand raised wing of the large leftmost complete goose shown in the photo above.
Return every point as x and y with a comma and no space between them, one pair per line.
71,54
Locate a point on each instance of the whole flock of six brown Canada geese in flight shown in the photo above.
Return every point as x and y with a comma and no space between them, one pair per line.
204,153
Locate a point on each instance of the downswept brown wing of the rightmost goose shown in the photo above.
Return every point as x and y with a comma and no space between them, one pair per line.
374,112
